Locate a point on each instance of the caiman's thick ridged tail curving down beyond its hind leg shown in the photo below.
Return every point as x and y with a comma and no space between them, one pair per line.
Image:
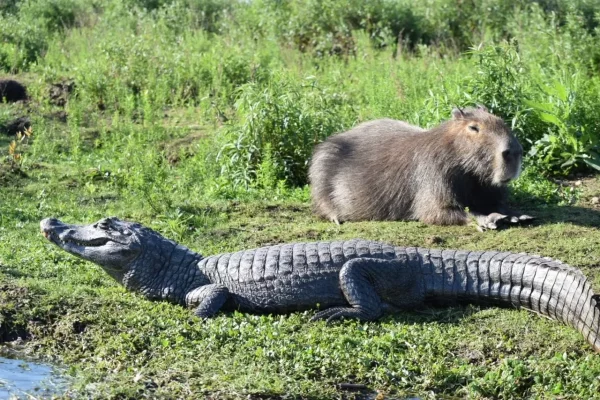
542,285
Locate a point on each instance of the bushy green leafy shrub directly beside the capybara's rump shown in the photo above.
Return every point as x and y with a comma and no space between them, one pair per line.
288,118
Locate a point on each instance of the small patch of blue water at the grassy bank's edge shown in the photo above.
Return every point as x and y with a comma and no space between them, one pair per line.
26,379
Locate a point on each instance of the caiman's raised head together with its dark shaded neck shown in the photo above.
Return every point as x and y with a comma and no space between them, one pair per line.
137,257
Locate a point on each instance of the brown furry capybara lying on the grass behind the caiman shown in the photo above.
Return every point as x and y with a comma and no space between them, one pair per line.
390,170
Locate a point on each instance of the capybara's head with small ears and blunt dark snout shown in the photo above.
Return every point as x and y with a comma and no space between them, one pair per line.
488,144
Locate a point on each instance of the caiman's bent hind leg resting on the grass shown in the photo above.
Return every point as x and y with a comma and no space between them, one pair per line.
365,281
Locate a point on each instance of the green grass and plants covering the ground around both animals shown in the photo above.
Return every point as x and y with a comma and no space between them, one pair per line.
197,118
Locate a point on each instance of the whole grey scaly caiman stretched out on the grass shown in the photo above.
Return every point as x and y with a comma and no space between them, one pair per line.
355,279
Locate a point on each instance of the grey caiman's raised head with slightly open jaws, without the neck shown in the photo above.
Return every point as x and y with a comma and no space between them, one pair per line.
110,242
